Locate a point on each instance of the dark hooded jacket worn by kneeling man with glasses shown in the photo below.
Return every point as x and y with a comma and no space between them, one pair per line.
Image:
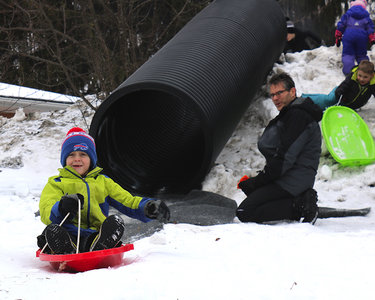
291,145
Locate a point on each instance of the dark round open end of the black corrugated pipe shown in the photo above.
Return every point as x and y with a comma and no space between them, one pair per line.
151,141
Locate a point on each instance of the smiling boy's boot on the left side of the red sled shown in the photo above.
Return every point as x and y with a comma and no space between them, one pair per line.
58,240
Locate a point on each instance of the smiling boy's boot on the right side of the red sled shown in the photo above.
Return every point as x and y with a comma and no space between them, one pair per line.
110,233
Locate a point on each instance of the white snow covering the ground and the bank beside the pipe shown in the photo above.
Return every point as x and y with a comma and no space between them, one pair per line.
335,259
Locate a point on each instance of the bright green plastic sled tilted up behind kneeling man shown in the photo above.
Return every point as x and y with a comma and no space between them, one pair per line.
347,137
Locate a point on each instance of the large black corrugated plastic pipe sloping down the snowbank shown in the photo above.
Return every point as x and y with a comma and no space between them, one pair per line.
161,130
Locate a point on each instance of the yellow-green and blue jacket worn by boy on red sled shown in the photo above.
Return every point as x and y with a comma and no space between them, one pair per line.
100,192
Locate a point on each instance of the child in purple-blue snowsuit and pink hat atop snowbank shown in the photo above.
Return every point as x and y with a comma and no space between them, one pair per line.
355,29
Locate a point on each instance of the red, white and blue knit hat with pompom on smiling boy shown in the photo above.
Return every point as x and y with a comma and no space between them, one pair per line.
78,140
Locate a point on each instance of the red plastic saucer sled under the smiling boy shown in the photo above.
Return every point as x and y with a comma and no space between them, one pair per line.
86,261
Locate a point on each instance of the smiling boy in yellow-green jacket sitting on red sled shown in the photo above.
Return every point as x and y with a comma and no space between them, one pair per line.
80,182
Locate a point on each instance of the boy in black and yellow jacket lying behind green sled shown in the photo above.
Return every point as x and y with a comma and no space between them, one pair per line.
353,92
